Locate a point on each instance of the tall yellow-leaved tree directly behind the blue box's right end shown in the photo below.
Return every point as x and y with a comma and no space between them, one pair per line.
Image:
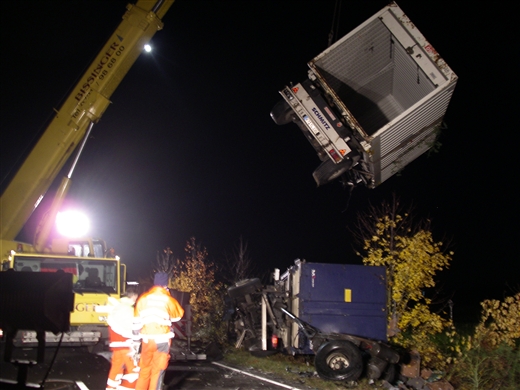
412,258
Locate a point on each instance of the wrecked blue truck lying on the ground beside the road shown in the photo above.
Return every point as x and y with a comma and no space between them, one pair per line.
335,311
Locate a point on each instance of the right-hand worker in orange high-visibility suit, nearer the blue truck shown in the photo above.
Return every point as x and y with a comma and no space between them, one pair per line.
155,312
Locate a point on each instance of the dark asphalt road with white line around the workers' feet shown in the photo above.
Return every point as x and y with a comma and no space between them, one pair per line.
76,369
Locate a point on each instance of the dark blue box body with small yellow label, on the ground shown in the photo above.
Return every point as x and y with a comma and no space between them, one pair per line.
339,298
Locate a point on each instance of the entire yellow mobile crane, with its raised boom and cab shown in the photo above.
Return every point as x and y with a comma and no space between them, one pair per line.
97,276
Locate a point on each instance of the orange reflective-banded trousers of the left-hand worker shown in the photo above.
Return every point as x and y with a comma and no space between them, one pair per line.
123,372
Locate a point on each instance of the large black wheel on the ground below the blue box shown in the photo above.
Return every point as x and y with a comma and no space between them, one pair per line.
339,360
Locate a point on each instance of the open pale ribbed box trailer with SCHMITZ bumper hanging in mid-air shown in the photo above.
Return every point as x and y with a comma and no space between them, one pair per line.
388,85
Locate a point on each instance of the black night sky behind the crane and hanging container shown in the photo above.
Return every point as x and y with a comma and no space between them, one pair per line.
188,147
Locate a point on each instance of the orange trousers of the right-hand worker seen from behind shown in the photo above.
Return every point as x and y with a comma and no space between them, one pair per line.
153,363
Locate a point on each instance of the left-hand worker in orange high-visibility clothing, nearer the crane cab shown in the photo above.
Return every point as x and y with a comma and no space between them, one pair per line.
123,372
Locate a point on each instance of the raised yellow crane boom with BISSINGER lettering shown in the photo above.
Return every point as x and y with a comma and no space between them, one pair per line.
85,105
